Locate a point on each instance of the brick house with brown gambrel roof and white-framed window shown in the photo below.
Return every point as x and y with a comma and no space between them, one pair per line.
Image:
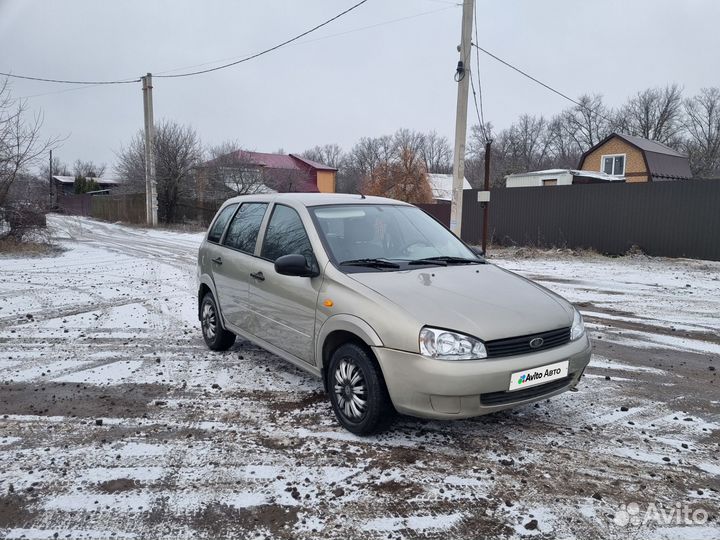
635,159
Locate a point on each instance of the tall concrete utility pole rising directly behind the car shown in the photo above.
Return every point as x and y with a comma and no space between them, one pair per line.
462,77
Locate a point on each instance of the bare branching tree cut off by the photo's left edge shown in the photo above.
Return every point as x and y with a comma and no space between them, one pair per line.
21,145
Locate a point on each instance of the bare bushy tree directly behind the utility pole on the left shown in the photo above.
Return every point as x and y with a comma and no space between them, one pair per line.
177,152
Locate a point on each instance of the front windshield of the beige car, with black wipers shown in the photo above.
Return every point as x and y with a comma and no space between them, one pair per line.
376,236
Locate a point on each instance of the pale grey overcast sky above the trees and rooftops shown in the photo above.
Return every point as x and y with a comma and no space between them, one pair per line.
362,75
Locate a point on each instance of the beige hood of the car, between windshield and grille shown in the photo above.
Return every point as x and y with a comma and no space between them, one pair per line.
481,300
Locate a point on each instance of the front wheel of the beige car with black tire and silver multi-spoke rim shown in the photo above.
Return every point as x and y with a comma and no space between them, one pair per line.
360,408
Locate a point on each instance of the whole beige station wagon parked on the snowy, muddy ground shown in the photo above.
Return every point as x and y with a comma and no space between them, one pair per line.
390,309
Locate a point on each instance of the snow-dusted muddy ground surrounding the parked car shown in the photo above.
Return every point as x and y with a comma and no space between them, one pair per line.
117,422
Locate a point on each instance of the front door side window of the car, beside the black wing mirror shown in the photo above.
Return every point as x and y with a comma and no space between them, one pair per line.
286,235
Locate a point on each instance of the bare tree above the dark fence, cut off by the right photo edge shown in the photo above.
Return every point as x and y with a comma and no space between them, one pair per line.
702,123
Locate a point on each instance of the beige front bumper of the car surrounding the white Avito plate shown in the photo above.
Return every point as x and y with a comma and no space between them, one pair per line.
427,388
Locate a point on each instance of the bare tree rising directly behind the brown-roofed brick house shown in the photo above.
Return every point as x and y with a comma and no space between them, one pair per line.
655,114
